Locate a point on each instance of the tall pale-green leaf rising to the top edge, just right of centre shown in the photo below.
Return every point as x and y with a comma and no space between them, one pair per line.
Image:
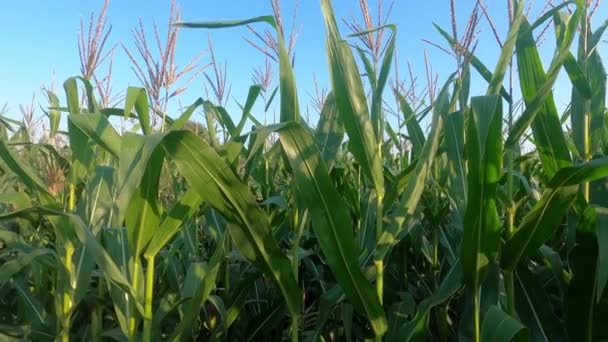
351,101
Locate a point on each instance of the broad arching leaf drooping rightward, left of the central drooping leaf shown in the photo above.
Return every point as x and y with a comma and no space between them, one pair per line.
217,184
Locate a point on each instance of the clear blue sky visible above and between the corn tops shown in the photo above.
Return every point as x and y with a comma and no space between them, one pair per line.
39,41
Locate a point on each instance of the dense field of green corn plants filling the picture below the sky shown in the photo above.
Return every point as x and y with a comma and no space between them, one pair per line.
490,225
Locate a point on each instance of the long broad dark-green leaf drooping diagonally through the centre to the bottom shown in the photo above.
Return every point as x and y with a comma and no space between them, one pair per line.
330,222
